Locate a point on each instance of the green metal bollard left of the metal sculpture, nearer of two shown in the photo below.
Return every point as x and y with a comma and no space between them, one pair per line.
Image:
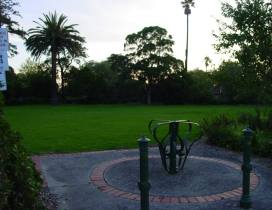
144,185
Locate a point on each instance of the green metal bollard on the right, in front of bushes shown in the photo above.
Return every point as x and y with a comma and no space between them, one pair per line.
245,201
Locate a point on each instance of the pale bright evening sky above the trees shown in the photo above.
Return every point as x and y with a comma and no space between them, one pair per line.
106,23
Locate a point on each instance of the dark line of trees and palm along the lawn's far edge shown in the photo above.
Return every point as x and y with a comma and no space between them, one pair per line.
147,72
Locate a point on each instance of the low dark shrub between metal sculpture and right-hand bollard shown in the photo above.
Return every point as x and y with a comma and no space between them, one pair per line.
220,131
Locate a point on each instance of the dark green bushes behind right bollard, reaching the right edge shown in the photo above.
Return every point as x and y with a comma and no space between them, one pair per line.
225,132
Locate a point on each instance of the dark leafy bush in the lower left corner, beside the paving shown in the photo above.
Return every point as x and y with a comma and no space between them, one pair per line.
20,183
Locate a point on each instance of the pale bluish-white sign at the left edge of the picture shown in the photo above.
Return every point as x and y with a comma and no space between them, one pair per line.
3,58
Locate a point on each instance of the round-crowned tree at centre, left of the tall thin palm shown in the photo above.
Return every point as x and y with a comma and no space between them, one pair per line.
150,56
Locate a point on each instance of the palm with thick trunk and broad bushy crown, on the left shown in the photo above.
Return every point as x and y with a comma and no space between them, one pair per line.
52,37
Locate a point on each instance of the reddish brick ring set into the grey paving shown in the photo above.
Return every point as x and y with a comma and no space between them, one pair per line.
101,182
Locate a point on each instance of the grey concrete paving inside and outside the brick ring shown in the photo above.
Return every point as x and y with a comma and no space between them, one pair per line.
68,177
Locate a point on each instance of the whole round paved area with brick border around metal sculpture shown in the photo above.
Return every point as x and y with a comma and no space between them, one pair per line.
202,180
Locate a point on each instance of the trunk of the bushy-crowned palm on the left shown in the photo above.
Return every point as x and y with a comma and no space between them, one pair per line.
54,89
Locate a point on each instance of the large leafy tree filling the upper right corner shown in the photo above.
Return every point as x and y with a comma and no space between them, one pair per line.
248,36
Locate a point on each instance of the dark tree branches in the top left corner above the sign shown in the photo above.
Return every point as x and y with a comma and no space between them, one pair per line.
7,14
